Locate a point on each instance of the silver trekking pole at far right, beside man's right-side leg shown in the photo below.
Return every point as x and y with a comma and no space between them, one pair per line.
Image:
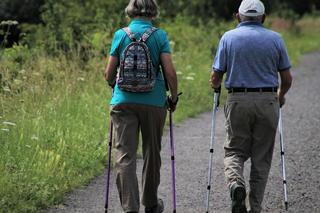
283,162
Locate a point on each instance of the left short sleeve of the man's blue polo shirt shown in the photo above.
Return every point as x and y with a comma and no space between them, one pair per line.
220,59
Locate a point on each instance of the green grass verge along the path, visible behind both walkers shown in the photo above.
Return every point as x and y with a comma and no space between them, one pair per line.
54,110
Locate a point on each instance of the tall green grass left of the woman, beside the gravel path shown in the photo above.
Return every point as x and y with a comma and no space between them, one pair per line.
51,129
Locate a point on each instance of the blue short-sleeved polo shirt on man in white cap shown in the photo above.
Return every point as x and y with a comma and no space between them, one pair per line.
251,56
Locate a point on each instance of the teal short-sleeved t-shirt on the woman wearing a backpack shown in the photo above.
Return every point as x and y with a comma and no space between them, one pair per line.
157,43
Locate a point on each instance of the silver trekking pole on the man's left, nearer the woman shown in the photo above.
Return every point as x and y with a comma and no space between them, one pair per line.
216,97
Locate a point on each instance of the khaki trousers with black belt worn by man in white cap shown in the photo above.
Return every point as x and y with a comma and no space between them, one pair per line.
251,124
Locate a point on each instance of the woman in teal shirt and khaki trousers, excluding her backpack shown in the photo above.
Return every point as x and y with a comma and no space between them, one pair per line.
146,112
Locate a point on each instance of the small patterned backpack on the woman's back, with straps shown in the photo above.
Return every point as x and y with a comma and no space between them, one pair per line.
137,73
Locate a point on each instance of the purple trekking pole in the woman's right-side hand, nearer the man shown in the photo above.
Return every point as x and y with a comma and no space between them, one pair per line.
174,203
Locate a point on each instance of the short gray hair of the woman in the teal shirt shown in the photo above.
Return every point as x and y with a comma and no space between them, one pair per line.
144,8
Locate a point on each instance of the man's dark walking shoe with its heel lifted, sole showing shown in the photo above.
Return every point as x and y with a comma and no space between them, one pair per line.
238,196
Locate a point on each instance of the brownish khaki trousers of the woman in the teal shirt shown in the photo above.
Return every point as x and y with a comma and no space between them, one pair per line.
128,120
